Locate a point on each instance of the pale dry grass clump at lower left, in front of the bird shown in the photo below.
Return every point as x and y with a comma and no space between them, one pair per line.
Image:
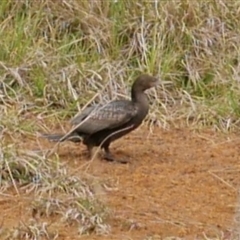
52,192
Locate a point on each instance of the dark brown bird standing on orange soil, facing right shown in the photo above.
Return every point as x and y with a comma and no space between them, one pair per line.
102,124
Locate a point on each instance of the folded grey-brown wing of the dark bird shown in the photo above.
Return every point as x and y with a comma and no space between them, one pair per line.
111,115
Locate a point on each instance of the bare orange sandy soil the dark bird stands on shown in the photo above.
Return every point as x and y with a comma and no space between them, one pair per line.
178,183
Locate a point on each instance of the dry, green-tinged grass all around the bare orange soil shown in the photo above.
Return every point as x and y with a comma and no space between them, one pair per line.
57,56
